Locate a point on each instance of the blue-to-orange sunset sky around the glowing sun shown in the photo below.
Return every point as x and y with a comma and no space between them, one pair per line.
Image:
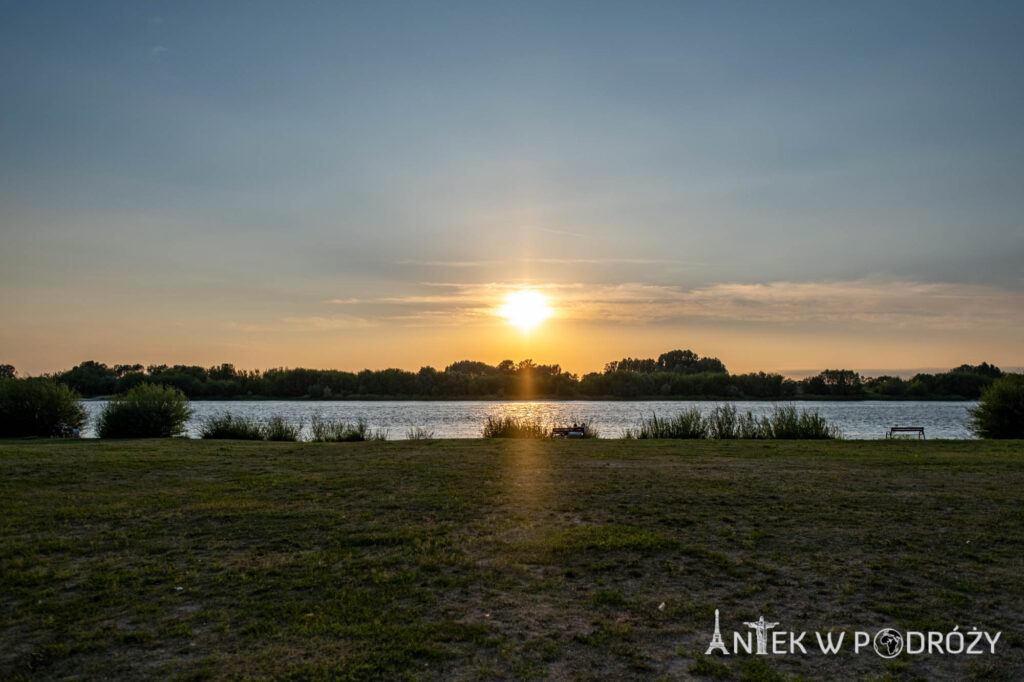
783,186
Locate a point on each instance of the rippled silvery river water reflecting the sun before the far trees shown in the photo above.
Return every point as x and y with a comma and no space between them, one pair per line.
464,419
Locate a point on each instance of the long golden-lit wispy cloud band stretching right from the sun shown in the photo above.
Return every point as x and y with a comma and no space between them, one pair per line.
900,304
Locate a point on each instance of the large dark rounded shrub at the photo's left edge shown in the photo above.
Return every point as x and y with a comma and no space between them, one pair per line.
36,407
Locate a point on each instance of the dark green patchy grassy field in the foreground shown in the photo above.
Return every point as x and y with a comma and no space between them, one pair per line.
596,560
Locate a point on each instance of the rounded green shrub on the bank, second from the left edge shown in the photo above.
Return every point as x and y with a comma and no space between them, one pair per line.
149,411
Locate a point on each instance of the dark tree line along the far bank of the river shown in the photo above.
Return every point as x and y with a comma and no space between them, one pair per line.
676,374
